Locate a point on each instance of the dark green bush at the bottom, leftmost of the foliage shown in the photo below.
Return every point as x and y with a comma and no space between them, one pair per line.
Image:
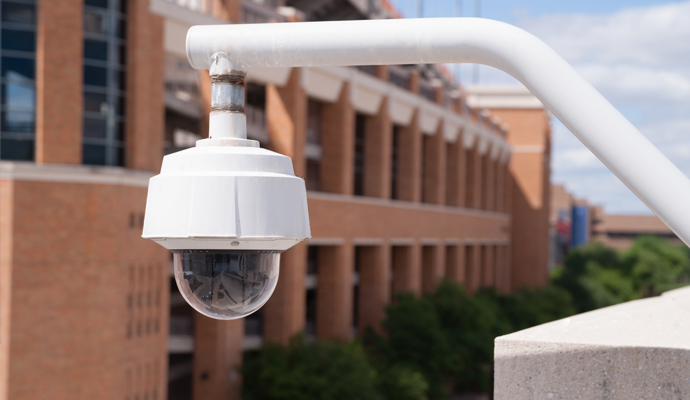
307,370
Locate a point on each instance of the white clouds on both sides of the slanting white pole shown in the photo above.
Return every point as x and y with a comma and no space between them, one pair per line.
639,58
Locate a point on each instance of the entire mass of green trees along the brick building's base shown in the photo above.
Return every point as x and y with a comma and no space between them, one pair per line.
442,344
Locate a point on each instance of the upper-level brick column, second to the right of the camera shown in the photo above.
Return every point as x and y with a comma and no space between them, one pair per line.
337,143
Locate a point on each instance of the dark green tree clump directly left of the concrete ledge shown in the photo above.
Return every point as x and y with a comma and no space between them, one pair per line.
448,335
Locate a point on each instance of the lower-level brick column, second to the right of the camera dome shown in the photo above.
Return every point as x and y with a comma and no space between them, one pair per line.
334,301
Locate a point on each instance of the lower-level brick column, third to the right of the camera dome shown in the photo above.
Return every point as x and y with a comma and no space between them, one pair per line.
374,286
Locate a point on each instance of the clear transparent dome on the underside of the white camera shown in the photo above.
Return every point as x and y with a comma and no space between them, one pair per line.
226,284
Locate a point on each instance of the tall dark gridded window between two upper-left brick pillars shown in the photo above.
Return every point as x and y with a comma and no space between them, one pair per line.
105,82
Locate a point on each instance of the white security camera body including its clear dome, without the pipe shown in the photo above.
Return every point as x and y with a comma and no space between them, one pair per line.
226,209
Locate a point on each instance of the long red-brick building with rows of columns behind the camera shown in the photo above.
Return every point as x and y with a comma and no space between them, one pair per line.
408,182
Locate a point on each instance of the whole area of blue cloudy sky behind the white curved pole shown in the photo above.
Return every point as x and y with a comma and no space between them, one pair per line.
635,52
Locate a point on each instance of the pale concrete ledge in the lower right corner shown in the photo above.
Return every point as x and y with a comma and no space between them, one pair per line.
635,350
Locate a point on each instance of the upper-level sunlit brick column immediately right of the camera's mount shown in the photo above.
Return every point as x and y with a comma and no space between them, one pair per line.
286,115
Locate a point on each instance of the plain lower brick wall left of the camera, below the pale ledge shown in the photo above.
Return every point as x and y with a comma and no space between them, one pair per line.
89,296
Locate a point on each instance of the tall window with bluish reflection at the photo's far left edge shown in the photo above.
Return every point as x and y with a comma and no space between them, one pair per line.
17,79
